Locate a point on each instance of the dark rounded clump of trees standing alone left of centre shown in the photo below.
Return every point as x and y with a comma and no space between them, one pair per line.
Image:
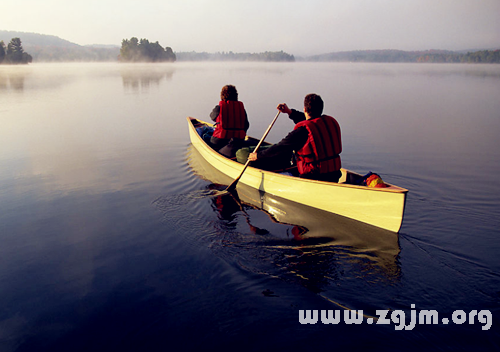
134,50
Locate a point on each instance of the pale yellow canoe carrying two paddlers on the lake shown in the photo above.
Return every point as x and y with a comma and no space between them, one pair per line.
380,207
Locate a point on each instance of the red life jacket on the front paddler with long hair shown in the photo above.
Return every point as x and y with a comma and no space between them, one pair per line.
231,120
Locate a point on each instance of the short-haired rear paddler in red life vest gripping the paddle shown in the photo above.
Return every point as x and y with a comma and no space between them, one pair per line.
316,141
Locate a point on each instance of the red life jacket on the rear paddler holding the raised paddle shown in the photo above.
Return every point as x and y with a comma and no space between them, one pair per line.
321,152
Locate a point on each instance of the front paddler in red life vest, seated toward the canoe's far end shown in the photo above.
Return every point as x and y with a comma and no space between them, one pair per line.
231,123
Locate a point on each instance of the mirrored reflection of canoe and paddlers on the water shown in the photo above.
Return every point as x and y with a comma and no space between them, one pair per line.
309,243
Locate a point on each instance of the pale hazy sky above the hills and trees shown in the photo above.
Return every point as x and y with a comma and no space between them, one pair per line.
296,26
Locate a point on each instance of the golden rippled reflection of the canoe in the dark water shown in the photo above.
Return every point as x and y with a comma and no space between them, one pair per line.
310,234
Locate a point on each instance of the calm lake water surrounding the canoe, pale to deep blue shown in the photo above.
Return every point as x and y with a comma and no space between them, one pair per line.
106,245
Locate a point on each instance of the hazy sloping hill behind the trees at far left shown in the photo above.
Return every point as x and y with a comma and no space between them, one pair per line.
49,48
